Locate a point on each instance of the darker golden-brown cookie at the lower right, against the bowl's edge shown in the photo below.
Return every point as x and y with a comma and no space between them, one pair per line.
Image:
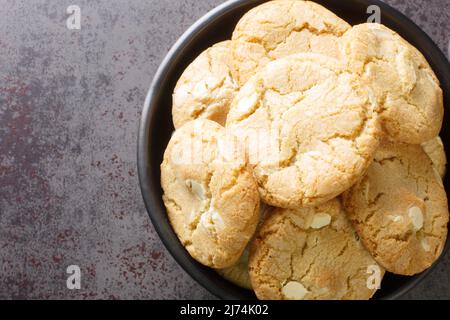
399,209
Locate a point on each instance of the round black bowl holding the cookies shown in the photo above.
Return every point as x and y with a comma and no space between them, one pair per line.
156,124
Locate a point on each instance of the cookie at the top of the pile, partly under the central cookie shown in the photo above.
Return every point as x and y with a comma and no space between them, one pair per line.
277,29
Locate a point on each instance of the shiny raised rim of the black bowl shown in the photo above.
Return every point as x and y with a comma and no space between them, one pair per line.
147,120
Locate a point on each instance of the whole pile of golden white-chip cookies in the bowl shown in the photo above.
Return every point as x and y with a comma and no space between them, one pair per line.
306,160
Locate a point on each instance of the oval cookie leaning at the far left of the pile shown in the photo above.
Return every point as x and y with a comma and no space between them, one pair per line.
210,194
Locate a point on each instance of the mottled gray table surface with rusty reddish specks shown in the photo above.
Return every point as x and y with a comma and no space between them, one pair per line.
70,103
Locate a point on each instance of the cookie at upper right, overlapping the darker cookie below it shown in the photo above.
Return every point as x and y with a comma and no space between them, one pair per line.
409,94
